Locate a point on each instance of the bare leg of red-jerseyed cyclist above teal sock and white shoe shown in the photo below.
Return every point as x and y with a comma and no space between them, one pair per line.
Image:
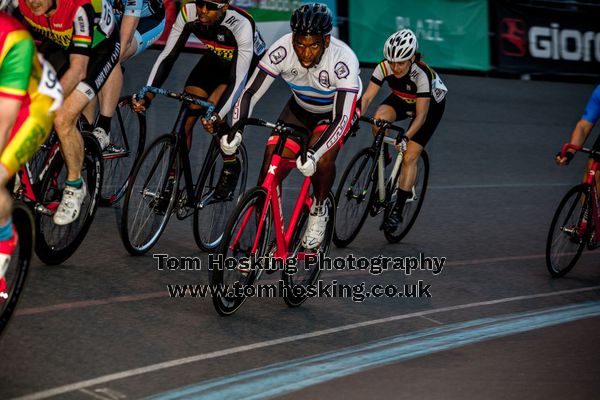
71,142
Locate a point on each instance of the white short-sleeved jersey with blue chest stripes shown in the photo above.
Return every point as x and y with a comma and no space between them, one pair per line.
314,89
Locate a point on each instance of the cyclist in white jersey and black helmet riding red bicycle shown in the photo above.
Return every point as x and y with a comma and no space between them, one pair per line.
323,75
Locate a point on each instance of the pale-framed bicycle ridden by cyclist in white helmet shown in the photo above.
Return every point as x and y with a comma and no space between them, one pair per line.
365,189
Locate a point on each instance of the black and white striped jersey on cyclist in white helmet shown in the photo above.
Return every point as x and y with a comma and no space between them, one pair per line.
421,81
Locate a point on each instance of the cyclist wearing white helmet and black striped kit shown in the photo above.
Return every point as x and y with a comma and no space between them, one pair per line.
418,93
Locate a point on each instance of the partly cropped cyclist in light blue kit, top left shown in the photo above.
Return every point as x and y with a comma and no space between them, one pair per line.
141,23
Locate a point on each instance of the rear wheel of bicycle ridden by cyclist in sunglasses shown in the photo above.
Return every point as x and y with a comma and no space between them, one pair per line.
210,216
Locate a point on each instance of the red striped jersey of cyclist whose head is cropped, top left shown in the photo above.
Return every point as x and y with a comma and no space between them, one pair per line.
76,25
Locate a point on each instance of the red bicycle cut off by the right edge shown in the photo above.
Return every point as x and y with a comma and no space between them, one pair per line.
576,222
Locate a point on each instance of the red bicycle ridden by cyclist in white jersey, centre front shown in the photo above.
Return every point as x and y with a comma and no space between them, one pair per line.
256,231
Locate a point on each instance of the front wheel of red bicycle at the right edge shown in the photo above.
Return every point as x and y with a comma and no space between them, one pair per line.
568,232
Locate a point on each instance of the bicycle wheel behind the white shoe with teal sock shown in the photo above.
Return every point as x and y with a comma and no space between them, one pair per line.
55,244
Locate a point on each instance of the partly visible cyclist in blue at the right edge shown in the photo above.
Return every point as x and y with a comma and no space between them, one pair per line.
582,130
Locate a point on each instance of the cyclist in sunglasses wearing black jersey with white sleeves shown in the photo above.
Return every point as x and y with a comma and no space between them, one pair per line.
234,48
